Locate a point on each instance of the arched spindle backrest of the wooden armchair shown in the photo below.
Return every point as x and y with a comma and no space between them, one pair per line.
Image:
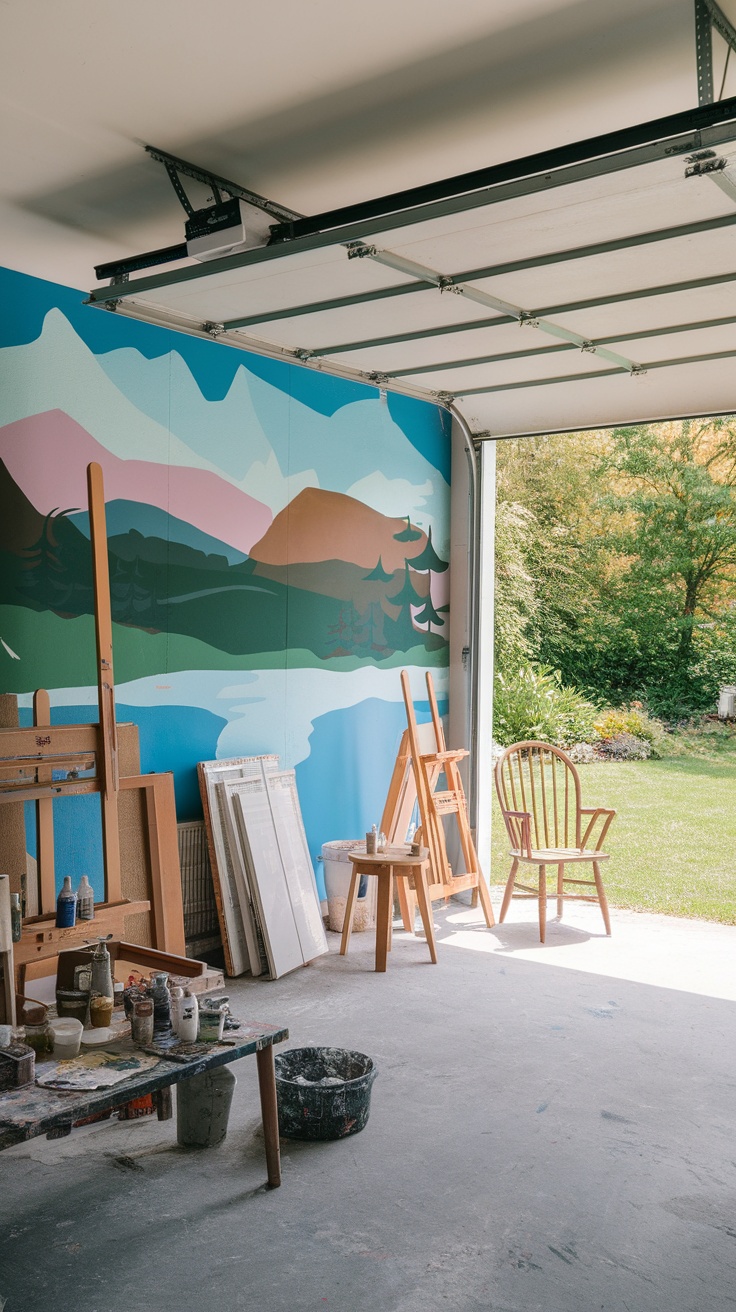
542,781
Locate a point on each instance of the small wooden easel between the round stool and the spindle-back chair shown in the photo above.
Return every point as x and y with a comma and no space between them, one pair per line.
417,775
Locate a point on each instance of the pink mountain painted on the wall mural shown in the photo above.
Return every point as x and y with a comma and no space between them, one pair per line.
48,456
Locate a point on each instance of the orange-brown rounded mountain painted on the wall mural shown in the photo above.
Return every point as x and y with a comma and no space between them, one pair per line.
319,525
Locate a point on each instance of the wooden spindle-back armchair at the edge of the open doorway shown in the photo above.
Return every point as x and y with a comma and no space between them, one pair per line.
548,826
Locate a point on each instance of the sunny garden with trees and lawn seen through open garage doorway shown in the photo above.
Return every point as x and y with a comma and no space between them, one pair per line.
616,640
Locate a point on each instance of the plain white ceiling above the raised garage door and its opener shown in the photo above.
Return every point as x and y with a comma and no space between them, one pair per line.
316,103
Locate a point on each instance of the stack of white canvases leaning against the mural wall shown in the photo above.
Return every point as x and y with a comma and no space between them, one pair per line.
268,903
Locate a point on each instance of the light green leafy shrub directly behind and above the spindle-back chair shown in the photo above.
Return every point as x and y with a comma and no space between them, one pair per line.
535,704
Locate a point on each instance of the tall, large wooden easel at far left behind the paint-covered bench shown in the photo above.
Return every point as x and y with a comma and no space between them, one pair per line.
31,756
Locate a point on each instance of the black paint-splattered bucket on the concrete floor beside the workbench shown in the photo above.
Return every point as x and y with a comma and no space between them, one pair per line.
323,1094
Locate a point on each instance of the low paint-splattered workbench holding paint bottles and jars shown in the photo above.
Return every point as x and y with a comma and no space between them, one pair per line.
32,1111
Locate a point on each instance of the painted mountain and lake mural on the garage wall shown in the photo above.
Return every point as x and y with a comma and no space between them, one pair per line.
279,548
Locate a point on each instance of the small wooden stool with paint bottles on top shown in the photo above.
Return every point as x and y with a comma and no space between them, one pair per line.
396,863
